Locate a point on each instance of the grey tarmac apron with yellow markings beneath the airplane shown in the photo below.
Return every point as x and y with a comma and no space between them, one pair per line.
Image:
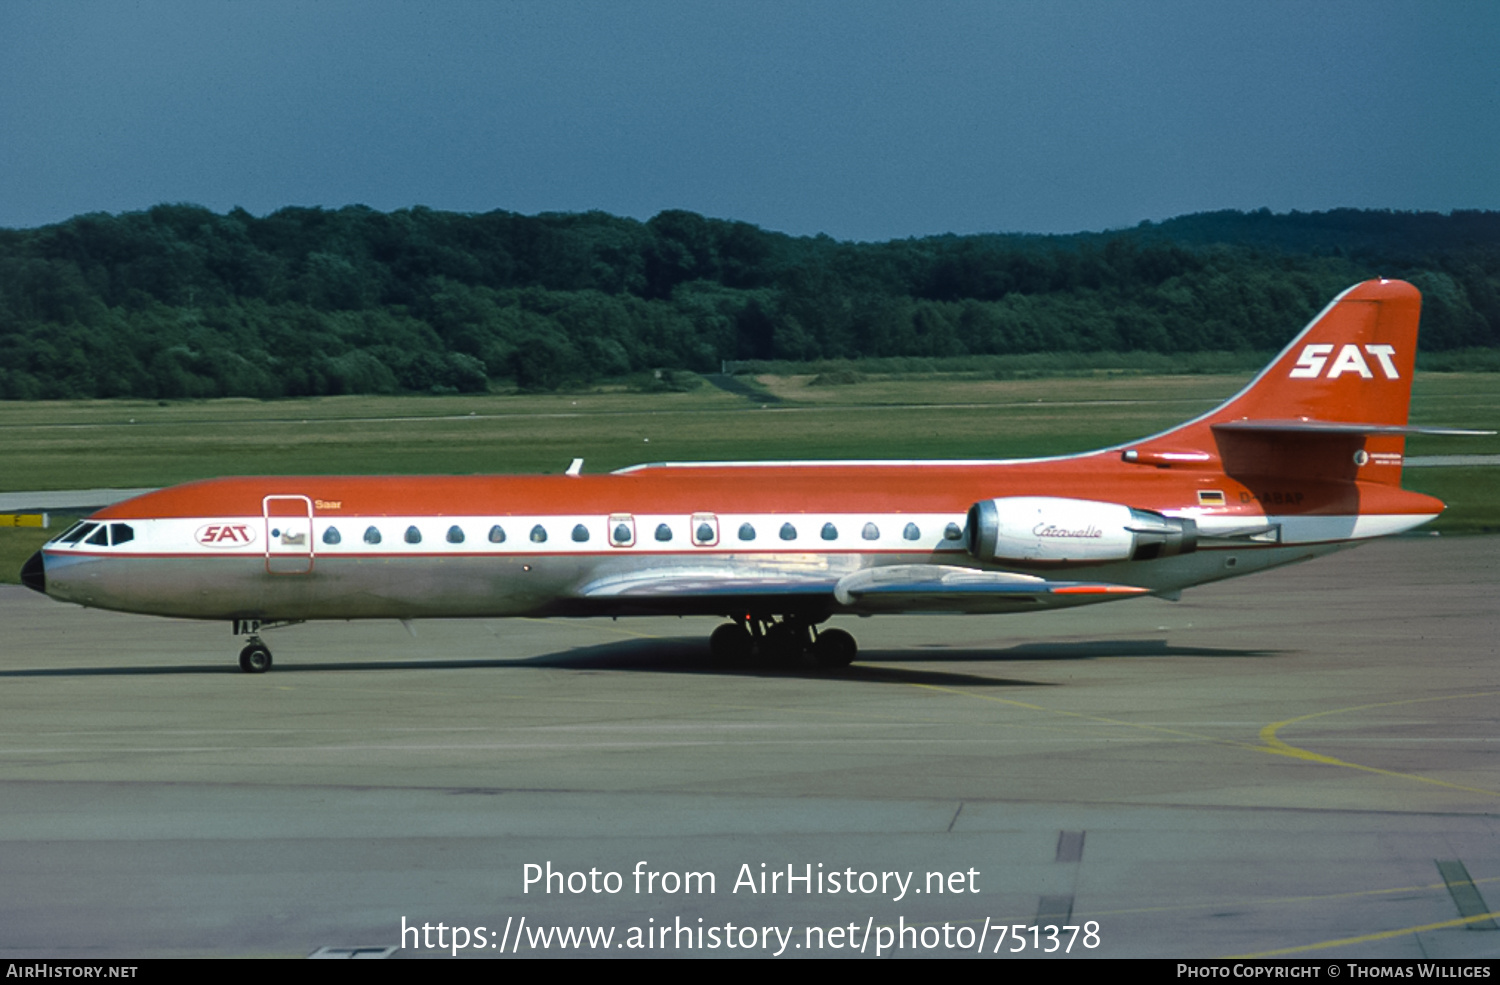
1300,764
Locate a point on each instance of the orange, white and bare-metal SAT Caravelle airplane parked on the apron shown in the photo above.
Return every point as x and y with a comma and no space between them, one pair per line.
1303,463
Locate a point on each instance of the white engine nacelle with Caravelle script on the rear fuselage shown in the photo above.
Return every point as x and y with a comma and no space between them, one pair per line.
1081,531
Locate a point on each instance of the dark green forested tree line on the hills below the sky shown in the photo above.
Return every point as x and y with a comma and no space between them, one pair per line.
182,302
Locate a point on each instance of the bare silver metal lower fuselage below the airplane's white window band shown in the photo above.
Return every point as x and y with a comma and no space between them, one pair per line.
464,587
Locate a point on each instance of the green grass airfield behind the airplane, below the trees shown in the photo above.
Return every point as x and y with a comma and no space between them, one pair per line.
127,445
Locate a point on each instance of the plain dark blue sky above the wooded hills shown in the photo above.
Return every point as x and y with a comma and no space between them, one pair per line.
863,121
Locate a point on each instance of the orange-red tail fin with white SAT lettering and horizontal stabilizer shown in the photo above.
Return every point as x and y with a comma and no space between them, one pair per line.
1333,407
